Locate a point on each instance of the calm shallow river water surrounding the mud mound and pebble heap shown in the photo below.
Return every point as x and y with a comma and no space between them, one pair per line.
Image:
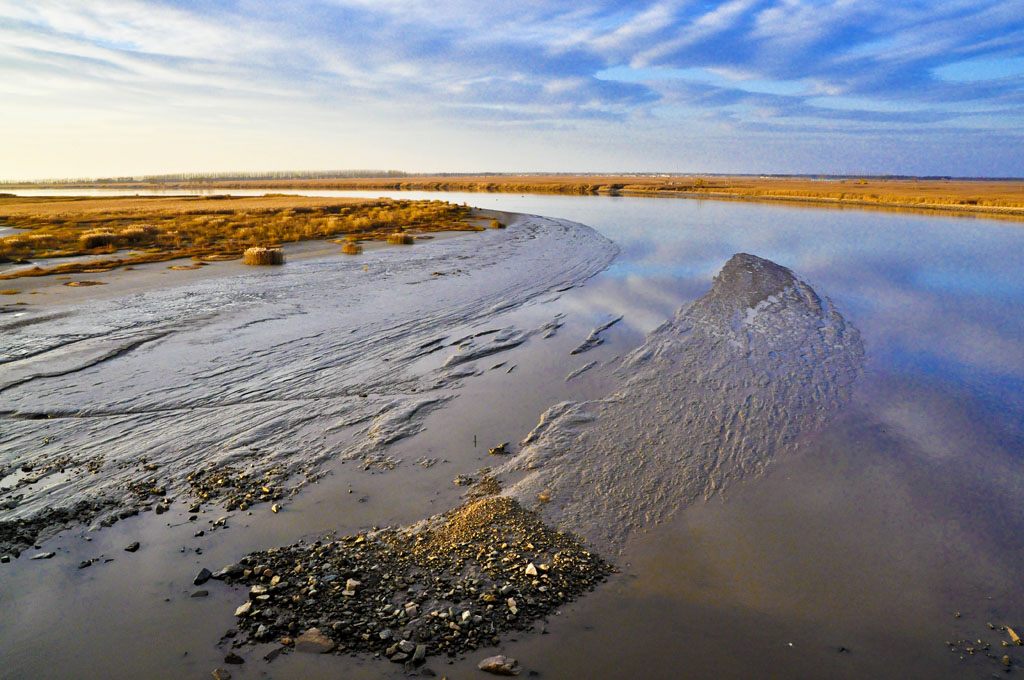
902,513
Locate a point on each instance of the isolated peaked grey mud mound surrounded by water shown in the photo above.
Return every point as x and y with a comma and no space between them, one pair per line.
710,398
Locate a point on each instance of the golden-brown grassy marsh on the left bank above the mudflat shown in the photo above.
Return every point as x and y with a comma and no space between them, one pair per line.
137,230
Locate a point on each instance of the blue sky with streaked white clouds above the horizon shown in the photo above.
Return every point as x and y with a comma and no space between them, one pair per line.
125,88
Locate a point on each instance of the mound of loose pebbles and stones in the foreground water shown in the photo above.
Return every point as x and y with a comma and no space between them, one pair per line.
454,585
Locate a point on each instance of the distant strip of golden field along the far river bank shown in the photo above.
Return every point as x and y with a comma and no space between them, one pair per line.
982,197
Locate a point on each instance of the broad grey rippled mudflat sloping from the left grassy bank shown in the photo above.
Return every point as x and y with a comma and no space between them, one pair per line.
114,405
